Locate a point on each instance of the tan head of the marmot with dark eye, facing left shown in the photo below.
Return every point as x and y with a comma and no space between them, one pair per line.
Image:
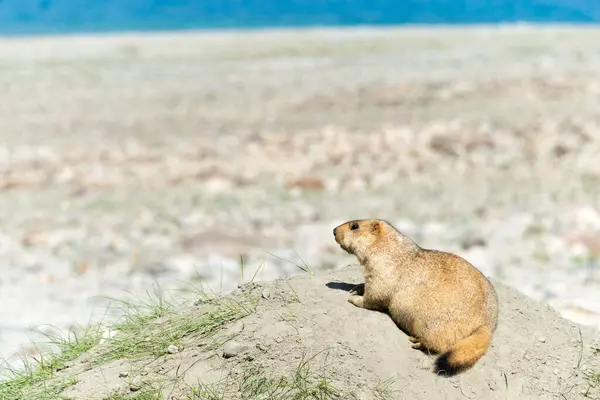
358,237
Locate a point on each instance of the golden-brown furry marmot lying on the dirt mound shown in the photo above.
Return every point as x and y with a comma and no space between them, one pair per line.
442,302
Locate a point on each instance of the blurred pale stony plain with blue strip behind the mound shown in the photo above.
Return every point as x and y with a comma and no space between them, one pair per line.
172,144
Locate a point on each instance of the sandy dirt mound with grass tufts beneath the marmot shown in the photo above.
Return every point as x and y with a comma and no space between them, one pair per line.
299,338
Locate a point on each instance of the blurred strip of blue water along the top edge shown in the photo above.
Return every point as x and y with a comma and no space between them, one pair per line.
69,16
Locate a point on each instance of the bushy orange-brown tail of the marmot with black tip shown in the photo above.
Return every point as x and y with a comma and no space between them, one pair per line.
466,352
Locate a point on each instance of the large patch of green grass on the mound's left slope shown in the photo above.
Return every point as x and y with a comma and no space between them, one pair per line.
147,328
